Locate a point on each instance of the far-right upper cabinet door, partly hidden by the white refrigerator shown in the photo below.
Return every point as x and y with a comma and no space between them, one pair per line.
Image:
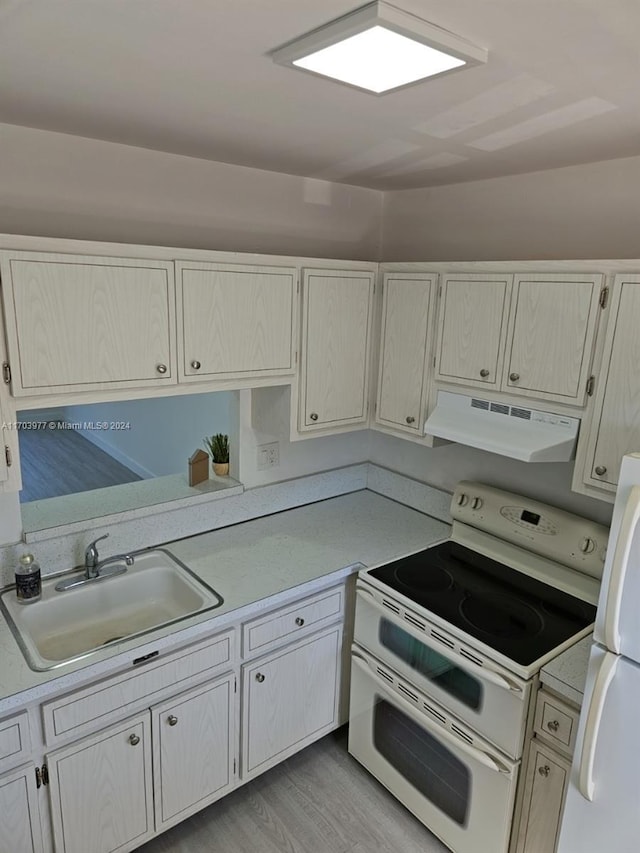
615,426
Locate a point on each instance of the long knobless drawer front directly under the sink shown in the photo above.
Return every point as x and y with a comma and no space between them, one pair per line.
100,704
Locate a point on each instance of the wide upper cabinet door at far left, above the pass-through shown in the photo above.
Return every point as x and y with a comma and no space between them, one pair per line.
82,323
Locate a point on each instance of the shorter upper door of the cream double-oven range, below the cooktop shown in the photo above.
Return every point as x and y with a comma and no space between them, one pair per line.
478,691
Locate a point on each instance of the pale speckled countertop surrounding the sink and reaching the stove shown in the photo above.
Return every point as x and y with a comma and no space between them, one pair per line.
266,561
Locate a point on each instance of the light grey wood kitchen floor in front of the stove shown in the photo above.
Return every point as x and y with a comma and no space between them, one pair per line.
319,801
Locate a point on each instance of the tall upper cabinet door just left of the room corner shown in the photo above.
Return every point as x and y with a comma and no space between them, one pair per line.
336,338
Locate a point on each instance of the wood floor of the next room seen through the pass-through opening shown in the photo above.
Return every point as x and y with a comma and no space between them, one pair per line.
56,462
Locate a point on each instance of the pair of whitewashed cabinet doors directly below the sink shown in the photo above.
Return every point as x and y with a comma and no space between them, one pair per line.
180,756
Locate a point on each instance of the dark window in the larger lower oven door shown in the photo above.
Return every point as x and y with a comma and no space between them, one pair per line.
422,760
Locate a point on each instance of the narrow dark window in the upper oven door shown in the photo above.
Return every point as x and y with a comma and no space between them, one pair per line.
431,664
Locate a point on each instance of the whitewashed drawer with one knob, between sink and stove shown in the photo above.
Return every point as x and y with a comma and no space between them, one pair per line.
294,620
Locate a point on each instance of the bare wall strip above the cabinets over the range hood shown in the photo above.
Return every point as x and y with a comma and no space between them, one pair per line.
588,211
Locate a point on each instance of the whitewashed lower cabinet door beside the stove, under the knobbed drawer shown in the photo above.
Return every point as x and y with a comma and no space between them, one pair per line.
290,698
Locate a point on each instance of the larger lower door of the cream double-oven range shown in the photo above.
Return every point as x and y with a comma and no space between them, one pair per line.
457,784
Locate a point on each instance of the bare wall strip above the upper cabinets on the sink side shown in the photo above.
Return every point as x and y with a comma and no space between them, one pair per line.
56,185
